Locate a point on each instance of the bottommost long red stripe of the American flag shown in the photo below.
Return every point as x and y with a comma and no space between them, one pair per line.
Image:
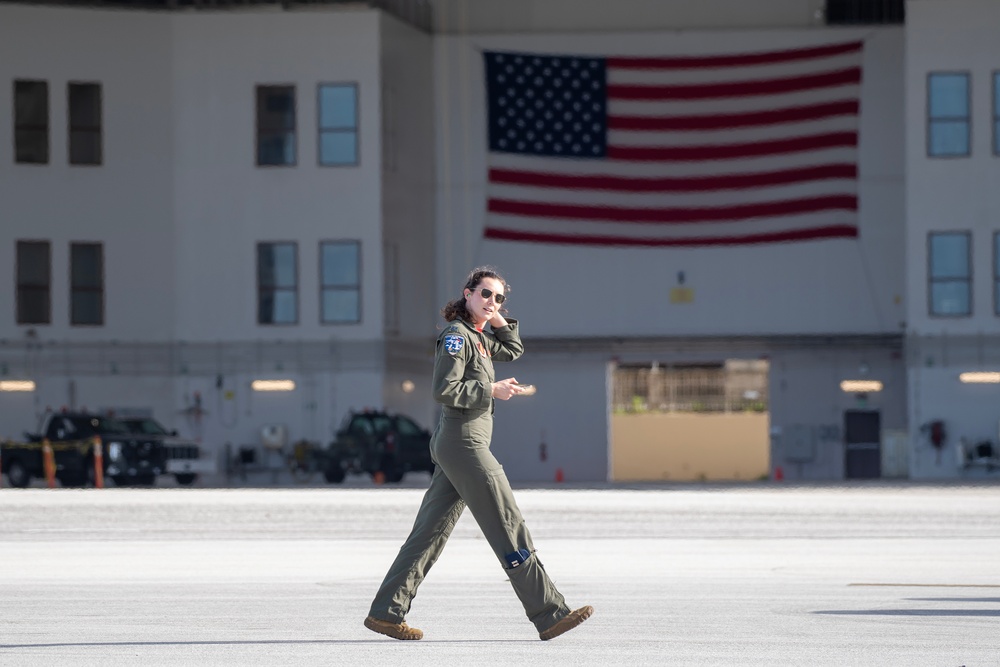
829,232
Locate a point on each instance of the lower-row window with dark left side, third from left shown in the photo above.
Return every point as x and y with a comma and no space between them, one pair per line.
277,283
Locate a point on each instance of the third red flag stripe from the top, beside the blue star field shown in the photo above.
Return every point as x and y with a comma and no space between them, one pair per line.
727,121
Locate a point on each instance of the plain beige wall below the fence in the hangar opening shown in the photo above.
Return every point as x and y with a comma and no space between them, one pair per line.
690,447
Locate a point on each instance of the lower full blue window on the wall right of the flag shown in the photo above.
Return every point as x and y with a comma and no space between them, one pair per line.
950,272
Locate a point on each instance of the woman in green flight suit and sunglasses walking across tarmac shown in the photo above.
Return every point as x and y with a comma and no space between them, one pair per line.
466,471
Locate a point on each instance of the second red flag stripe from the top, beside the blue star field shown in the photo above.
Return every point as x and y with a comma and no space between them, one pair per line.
729,89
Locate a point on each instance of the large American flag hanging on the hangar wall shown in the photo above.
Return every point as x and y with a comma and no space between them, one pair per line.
724,149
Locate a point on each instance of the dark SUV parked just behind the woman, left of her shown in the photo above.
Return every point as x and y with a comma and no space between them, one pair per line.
377,443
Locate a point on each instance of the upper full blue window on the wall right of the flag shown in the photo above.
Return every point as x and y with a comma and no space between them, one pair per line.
947,114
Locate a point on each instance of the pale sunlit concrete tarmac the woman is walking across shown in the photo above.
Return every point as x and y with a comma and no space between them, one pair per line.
679,575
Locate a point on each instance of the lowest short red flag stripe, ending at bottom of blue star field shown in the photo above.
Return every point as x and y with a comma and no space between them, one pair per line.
733,151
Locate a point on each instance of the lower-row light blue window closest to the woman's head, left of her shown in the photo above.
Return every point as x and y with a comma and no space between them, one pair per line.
340,276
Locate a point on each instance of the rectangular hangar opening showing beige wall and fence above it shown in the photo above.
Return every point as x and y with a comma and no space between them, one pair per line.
690,422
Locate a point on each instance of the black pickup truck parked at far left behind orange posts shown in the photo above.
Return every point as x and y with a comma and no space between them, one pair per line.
128,459
